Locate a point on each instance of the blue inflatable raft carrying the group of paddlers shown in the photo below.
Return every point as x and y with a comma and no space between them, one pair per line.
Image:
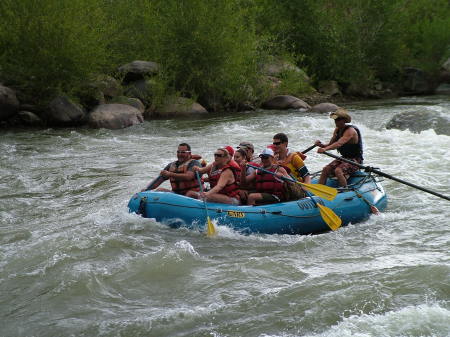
352,205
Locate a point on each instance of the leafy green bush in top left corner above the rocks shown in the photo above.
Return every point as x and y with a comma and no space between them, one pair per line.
50,46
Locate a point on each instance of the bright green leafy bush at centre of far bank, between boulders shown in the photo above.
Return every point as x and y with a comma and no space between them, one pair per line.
207,48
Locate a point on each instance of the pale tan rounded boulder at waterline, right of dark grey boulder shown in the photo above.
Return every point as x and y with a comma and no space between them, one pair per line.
114,116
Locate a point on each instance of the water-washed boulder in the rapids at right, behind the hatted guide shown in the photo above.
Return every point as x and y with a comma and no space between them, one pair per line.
417,121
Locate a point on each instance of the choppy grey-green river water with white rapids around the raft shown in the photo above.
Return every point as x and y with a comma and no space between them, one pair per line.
73,262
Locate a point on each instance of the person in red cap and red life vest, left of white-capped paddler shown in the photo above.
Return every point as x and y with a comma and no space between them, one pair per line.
223,176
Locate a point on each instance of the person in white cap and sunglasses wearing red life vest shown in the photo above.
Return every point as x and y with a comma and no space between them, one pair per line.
269,187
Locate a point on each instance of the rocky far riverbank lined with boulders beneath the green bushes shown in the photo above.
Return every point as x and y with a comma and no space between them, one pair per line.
129,98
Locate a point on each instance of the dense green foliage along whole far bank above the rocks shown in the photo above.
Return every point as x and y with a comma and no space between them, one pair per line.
214,50
